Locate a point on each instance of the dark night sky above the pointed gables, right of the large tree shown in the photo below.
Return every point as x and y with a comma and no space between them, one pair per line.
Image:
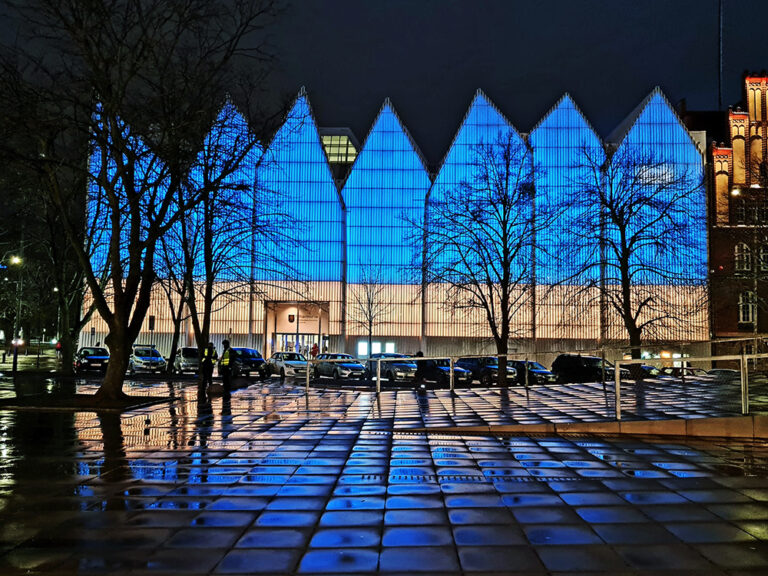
429,57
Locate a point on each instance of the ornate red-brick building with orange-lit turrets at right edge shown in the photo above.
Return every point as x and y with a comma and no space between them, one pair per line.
739,217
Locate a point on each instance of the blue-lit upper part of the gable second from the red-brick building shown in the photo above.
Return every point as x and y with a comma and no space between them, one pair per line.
560,142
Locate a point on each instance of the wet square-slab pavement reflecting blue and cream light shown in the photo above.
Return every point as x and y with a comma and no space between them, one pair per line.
272,481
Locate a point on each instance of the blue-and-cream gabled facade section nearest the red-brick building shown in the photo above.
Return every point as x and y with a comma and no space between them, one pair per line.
674,271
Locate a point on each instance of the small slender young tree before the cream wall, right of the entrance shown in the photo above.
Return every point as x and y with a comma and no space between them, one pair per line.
370,303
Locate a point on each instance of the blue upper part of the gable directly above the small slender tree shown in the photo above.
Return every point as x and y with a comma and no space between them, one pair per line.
385,191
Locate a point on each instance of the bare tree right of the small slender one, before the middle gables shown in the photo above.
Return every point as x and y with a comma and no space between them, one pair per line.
479,238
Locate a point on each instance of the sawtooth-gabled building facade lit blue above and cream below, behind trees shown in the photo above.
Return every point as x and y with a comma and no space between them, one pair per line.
359,209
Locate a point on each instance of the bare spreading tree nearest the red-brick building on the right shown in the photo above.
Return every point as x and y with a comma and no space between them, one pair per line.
636,225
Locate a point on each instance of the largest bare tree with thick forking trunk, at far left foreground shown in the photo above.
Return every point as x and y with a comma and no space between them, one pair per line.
135,84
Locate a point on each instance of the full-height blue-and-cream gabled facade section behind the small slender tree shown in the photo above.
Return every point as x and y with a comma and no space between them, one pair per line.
384,196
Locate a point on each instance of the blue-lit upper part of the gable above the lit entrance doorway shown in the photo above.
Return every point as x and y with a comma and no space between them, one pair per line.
295,168
